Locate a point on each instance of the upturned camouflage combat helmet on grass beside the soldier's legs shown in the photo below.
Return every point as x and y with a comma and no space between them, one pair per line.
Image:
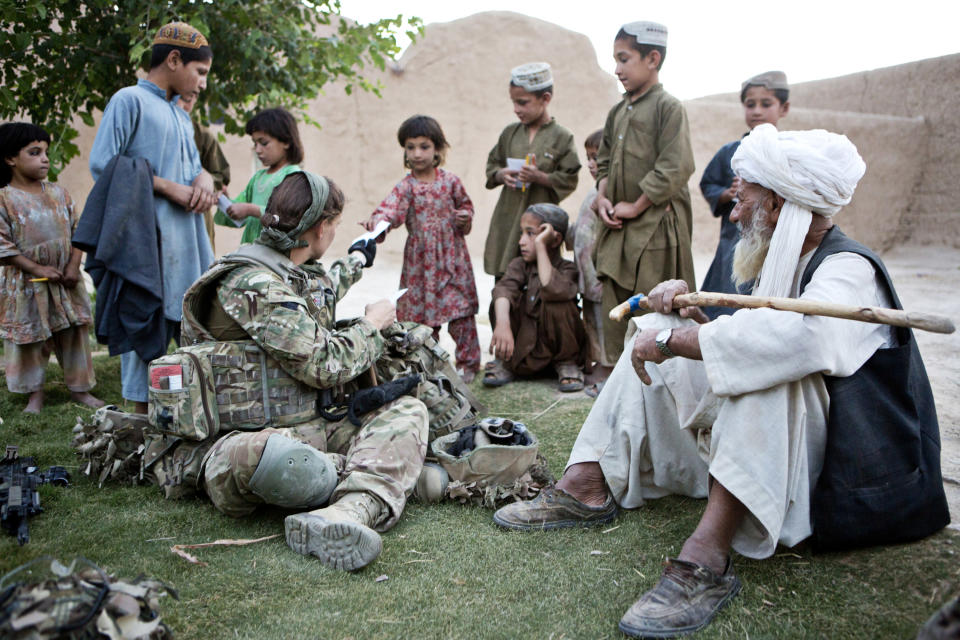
492,462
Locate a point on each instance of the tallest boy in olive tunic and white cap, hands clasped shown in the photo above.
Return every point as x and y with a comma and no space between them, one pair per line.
643,165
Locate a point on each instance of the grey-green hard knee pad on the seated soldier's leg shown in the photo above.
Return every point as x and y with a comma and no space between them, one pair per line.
293,474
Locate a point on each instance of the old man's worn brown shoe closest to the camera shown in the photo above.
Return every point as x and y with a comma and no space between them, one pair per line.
686,599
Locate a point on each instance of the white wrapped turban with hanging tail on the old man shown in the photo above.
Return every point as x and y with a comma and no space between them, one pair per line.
814,171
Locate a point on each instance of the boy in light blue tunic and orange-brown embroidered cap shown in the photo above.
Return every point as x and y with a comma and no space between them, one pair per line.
144,121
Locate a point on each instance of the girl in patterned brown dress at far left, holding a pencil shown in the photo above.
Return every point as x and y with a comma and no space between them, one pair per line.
44,305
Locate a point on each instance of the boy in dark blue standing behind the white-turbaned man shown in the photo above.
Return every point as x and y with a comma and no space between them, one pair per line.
765,99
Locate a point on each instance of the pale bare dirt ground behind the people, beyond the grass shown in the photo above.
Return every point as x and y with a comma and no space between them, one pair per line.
923,275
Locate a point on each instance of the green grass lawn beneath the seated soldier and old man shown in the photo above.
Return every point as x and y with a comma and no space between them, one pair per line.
450,572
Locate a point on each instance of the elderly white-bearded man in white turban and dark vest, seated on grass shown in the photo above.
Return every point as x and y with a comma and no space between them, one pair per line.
793,426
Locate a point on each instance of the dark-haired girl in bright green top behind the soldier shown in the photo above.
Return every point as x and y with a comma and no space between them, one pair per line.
276,141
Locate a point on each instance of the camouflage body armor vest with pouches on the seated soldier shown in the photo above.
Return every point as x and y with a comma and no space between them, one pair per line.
209,387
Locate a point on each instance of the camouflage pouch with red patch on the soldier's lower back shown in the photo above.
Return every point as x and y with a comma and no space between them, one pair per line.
181,394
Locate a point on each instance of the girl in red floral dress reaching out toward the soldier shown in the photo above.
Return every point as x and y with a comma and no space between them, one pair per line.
437,270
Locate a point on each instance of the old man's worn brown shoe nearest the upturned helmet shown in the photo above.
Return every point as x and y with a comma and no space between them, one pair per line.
553,509
